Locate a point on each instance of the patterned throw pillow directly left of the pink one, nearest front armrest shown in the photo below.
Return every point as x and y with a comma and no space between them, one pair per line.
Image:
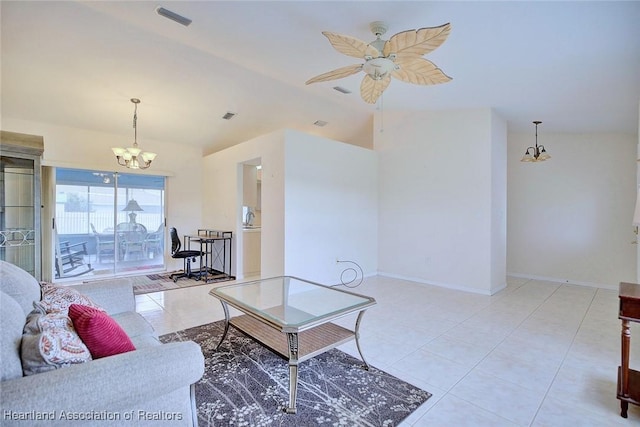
50,342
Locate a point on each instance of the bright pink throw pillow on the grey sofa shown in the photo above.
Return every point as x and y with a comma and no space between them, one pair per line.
99,332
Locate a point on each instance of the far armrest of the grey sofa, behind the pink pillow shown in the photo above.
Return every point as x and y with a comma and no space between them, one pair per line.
115,296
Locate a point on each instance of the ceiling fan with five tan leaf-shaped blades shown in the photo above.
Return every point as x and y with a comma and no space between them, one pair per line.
399,57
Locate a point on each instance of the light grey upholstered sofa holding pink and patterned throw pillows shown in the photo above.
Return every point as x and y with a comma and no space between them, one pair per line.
149,385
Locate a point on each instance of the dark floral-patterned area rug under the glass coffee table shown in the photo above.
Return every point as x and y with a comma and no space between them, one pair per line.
245,384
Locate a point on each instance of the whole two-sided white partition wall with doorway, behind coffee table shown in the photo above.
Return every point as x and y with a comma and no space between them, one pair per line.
318,203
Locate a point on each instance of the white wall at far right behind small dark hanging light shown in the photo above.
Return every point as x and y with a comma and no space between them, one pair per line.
569,218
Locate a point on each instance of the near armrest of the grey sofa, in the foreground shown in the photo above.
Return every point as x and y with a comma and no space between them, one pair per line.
114,383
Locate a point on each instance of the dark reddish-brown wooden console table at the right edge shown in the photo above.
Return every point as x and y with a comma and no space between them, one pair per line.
628,379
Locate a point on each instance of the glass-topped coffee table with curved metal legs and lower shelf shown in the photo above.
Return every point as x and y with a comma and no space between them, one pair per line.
292,317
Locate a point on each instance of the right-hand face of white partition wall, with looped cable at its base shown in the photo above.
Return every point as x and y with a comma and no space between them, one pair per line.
330,208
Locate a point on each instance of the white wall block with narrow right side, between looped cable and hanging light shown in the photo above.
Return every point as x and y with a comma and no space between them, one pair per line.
442,198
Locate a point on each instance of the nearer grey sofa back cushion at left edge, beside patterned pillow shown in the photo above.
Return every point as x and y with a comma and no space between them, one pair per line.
11,324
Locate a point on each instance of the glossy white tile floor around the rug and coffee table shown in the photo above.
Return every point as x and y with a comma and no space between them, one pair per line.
535,354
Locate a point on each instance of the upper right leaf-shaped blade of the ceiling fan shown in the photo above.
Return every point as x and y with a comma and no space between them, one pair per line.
417,42
